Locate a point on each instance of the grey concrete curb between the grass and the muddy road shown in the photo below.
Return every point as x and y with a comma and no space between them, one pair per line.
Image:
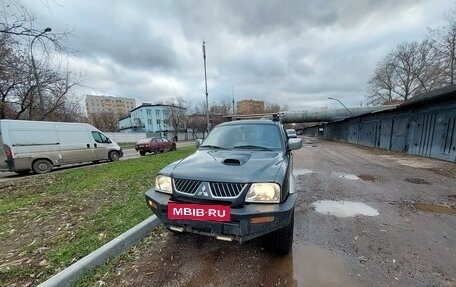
98,257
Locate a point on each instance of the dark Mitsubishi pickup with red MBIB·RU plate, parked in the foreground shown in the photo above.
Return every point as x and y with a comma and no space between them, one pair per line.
237,186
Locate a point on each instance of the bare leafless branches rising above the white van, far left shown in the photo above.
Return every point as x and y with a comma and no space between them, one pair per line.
18,86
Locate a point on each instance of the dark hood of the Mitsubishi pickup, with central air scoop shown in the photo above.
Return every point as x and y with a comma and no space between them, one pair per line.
230,166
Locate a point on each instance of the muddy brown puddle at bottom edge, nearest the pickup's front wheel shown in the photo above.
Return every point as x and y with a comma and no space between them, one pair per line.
316,266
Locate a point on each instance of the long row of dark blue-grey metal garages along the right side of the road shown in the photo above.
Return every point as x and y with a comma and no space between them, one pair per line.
427,129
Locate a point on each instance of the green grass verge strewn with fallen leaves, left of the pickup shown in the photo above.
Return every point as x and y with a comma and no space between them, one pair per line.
48,222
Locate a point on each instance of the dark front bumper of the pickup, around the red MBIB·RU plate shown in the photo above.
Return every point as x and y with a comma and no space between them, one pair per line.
239,228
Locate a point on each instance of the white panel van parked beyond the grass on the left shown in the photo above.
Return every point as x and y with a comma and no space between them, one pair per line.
38,146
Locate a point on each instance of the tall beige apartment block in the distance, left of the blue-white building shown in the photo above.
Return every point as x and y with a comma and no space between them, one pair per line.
116,105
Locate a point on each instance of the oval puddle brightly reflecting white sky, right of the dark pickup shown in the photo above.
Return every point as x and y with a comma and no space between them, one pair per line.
344,208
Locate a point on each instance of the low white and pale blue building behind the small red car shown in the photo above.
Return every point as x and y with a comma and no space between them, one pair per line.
149,118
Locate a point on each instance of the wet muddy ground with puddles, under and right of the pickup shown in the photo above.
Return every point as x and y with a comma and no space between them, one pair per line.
411,242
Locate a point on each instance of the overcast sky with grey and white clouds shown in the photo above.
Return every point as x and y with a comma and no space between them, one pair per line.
297,53
